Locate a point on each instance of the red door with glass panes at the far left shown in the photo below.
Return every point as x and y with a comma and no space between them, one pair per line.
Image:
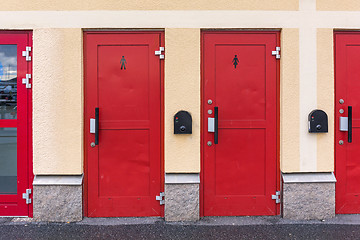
15,125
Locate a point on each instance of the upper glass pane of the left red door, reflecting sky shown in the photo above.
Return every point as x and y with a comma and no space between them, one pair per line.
8,83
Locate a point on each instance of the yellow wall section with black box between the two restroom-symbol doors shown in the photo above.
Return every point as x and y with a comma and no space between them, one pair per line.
182,92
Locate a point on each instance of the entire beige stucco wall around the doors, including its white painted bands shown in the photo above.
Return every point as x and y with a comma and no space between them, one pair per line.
306,70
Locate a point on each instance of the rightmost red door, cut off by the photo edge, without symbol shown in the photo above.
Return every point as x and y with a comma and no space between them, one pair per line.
347,152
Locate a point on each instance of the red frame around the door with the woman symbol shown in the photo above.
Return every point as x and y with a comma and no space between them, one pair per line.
202,127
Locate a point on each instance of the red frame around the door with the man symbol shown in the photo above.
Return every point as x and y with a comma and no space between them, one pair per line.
86,124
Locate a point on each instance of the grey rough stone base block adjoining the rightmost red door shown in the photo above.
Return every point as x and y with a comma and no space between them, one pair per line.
308,200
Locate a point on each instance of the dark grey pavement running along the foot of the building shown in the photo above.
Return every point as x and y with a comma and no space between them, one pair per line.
340,227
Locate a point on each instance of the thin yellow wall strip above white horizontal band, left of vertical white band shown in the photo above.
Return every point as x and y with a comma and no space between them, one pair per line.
26,5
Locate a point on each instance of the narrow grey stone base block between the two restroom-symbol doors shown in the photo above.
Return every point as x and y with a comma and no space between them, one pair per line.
182,202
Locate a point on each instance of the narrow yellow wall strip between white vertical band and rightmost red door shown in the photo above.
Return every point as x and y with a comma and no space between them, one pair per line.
325,97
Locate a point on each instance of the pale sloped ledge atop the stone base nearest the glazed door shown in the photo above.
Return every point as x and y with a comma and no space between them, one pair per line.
41,180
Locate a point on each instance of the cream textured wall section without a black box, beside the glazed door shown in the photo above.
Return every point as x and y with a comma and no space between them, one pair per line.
57,101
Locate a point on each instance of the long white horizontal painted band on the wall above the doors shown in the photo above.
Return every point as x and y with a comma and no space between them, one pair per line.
177,19
